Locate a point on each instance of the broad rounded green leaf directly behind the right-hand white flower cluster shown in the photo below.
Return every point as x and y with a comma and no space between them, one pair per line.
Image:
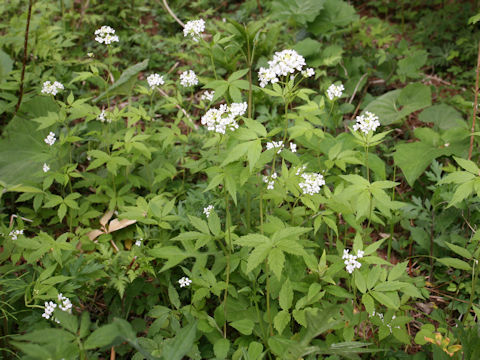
397,104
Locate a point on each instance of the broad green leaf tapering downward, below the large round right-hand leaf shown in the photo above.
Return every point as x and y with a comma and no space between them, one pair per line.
414,158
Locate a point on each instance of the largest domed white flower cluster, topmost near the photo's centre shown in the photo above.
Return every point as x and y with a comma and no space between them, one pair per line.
284,63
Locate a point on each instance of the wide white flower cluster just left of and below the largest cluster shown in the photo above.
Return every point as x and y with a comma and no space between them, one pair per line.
223,118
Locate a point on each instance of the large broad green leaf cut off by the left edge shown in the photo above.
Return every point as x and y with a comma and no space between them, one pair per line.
22,149
